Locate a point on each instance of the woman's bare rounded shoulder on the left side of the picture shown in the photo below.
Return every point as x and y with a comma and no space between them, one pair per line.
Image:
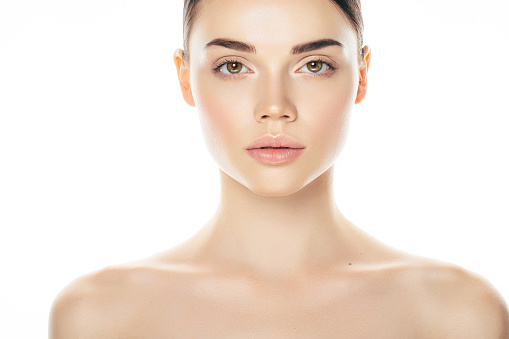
100,304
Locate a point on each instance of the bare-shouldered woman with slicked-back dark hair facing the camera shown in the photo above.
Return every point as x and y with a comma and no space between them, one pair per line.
274,83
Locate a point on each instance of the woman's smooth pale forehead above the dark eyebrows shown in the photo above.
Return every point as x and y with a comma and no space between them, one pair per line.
271,23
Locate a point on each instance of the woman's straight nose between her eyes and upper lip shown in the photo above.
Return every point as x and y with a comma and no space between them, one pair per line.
274,102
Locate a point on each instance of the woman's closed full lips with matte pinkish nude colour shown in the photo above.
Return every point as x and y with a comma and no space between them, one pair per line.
277,150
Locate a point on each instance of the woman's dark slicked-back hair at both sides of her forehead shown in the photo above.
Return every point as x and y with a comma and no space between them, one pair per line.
352,9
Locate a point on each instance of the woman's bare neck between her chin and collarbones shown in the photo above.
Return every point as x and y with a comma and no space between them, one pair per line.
280,235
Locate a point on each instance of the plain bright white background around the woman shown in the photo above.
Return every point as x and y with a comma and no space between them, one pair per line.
101,162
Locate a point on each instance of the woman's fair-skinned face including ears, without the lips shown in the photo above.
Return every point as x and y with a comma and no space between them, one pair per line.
274,82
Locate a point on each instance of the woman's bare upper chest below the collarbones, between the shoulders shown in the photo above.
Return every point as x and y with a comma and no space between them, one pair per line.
215,312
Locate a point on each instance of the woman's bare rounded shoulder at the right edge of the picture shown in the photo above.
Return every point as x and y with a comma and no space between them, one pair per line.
458,303
